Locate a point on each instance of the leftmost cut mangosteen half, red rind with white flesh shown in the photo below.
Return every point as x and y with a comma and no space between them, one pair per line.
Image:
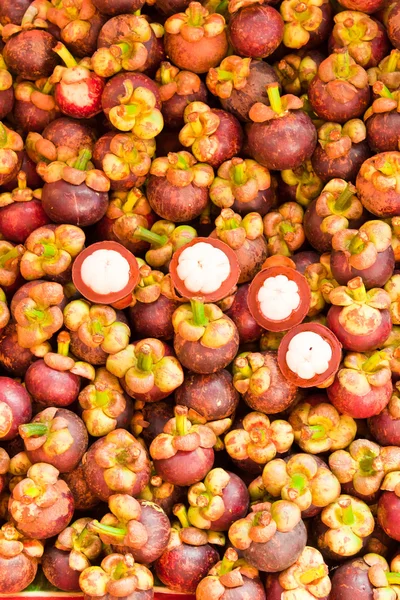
106,273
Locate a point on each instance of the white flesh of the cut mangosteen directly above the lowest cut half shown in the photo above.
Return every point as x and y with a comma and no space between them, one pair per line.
278,297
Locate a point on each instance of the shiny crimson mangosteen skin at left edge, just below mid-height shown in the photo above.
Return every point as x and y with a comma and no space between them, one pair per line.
17,399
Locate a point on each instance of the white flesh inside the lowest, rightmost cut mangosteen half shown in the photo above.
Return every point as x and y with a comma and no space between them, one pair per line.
308,355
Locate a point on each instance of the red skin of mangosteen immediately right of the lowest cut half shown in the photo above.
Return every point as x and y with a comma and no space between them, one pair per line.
356,406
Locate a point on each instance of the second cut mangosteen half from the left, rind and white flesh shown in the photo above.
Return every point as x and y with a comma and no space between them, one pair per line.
205,267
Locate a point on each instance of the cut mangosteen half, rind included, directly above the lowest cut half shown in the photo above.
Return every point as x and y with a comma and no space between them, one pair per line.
279,298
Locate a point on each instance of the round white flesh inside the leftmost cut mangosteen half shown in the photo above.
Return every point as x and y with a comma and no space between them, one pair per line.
105,271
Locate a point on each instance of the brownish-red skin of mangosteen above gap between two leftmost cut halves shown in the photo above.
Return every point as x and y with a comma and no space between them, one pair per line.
177,204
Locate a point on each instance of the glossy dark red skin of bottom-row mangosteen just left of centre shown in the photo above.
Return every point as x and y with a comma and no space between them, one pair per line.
182,568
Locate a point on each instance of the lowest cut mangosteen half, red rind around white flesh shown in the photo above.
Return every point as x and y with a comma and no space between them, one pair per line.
309,355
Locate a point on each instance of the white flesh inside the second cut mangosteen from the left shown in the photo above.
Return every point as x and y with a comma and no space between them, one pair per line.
203,268
